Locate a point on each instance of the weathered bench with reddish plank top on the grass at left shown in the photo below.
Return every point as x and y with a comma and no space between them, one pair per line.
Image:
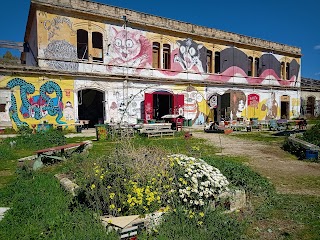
58,153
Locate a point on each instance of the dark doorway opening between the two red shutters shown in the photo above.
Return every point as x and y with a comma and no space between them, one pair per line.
162,104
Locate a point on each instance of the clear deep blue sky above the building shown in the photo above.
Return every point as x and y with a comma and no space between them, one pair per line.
294,23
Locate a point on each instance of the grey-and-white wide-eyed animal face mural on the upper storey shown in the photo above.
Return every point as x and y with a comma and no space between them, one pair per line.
191,55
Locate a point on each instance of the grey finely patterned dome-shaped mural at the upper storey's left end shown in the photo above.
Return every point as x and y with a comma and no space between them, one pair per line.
61,50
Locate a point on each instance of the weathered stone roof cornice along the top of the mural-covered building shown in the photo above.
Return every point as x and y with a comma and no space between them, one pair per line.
151,22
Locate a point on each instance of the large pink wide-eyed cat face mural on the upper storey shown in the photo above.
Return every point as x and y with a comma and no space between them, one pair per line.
129,48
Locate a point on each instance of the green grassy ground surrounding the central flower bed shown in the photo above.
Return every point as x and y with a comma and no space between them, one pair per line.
42,210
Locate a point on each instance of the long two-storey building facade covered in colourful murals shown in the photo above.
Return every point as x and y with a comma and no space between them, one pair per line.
85,60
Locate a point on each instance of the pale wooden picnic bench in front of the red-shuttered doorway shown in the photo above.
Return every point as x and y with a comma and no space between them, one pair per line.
157,129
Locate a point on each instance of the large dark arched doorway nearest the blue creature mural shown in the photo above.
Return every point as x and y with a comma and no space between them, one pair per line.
90,106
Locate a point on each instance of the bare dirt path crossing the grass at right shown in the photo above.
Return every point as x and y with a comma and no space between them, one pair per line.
286,173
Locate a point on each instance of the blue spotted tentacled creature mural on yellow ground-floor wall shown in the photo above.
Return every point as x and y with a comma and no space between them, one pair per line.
37,106
